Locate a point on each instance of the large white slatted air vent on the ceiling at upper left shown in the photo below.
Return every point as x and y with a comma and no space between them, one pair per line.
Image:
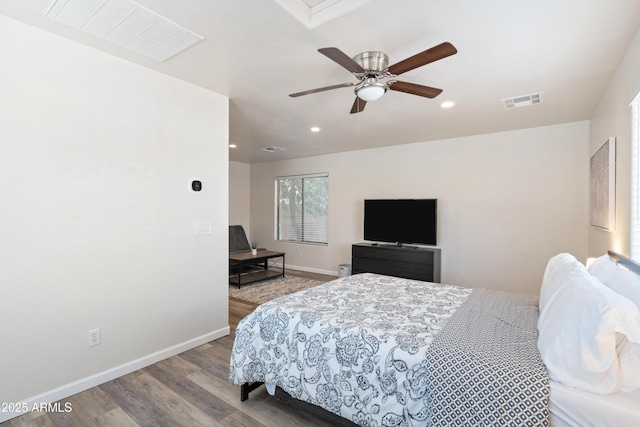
127,24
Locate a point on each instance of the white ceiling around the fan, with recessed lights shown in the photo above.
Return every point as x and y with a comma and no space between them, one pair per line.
256,53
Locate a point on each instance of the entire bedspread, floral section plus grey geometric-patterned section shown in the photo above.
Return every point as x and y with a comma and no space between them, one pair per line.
384,351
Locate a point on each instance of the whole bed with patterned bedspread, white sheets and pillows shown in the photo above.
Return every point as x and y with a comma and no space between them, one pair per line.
386,351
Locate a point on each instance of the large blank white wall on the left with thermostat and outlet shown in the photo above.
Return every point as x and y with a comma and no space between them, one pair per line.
97,224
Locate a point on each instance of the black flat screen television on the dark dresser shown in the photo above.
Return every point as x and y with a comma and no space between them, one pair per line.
401,221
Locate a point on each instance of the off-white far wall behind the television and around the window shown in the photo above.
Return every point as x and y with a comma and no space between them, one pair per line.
507,201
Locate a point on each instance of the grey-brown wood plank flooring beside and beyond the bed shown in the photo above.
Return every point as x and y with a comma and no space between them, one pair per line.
190,389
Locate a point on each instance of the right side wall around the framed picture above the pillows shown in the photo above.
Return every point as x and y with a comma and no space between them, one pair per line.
612,117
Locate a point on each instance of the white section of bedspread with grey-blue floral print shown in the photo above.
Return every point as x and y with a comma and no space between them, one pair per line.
354,346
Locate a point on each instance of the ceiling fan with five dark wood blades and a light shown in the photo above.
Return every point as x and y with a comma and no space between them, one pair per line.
372,68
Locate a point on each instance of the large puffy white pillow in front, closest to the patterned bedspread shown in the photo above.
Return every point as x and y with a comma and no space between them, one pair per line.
583,326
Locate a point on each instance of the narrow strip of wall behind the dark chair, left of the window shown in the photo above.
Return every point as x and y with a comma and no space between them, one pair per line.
239,195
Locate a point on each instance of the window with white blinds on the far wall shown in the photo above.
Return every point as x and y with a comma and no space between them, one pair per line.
302,208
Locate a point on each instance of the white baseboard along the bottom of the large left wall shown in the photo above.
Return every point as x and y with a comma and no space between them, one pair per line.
75,387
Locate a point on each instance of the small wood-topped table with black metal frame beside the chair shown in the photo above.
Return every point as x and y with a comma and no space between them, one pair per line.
242,260
